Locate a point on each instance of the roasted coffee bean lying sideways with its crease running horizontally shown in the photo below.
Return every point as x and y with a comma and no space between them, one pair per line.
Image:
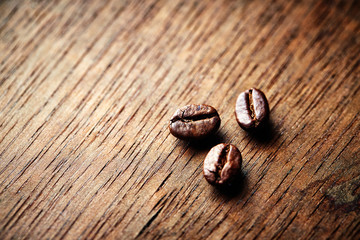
194,122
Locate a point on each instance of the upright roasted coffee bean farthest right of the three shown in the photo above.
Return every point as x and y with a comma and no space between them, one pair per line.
252,109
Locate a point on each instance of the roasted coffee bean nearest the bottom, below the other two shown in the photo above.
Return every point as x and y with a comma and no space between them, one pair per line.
222,165
